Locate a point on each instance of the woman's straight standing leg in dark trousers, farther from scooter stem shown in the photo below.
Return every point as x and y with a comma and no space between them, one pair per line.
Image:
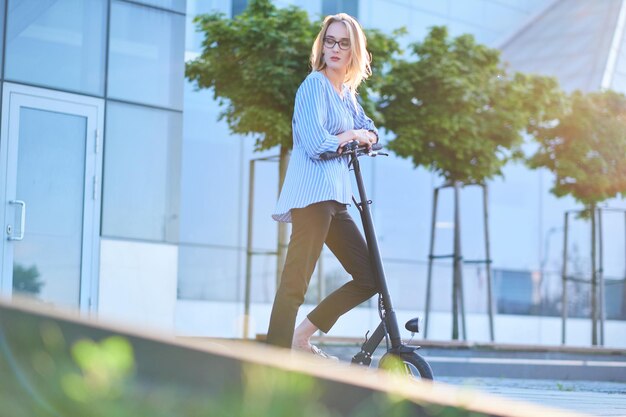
309,229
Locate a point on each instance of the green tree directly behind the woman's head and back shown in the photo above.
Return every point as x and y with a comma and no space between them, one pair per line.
254,64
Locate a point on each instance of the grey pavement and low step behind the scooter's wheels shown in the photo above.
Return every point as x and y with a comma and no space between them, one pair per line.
585,380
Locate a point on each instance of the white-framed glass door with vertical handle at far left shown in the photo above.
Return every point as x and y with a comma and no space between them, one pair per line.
50,191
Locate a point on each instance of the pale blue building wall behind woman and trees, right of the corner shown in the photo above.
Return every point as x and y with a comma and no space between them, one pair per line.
525,220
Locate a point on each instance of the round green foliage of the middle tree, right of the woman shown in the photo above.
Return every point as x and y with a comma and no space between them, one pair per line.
456,111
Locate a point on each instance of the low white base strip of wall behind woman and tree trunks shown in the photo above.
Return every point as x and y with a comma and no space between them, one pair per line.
225,319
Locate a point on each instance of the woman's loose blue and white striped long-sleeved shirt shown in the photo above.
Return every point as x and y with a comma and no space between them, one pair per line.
320,114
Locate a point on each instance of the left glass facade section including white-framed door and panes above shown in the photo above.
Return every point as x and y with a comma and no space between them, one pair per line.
95,86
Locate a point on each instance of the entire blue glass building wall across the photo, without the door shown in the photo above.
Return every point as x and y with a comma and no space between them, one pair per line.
175,180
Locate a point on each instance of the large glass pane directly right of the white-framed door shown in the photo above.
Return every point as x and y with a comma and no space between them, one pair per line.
141,173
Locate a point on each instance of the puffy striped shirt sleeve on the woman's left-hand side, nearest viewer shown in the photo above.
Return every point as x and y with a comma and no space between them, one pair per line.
309,115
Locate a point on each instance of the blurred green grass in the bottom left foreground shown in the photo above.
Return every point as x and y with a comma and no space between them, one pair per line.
42,374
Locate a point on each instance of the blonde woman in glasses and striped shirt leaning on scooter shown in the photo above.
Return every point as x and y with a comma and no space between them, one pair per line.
316,192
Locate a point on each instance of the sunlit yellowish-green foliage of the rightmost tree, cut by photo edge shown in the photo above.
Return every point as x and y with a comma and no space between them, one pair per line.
586,147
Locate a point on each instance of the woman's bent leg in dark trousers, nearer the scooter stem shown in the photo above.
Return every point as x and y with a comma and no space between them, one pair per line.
346,242
